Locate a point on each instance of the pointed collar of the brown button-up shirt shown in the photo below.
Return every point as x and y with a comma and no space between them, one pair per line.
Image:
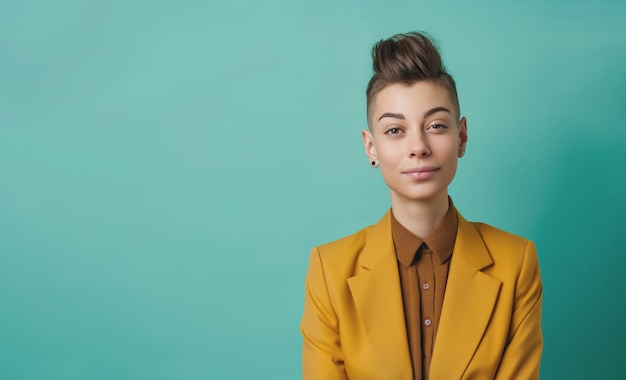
440,241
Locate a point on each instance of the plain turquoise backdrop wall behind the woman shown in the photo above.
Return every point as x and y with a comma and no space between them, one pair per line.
166,167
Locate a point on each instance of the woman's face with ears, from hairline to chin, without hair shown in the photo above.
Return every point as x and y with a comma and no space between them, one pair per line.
416,138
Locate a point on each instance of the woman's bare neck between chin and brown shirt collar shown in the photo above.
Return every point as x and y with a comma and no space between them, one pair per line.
420,217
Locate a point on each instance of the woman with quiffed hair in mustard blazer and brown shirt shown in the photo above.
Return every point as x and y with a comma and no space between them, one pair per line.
423,293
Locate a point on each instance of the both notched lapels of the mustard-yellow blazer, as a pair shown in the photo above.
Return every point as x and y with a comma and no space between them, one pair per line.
467,307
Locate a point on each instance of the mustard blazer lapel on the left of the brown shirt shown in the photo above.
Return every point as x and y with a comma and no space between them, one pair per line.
378,298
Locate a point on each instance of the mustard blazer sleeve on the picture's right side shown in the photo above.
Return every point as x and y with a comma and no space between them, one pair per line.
522,354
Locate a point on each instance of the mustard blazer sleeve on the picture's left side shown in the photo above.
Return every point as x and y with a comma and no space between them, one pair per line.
322,357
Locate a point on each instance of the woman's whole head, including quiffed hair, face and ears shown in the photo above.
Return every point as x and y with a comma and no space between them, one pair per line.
415,131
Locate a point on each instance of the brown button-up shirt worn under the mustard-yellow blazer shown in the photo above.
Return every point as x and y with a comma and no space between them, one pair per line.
423,267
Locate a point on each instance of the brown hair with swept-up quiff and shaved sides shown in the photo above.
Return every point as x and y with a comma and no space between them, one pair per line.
408,58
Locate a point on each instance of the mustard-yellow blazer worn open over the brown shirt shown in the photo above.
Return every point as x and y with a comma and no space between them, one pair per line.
490,326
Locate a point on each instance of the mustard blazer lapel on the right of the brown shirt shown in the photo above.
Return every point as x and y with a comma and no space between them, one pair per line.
468,303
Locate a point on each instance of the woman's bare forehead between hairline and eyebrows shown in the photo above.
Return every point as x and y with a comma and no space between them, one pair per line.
411,100
